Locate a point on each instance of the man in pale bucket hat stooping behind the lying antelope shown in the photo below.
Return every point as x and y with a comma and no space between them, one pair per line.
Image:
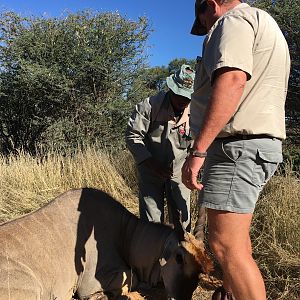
158,136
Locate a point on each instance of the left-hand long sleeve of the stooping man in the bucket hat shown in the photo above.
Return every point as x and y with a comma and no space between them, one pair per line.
137,129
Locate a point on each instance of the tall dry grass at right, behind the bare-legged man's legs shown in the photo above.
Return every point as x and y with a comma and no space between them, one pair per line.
276,235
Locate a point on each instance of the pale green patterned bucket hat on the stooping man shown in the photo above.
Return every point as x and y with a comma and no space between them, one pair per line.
182,81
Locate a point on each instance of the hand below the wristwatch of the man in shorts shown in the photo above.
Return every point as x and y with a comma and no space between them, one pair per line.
190,171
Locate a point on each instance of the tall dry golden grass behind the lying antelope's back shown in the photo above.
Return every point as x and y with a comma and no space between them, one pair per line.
26,182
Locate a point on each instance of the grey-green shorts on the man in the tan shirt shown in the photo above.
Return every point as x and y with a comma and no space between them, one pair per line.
235,172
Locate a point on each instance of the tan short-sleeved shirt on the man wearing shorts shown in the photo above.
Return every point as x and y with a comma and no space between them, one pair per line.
244,46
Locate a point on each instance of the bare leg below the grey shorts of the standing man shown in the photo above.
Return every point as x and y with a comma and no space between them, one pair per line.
230,241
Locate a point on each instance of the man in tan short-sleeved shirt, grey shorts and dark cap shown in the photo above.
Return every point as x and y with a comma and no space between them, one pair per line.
238,122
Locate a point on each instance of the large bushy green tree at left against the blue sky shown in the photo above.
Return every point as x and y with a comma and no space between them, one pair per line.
65,78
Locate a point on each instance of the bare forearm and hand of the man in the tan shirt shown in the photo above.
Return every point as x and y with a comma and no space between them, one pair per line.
227,90
